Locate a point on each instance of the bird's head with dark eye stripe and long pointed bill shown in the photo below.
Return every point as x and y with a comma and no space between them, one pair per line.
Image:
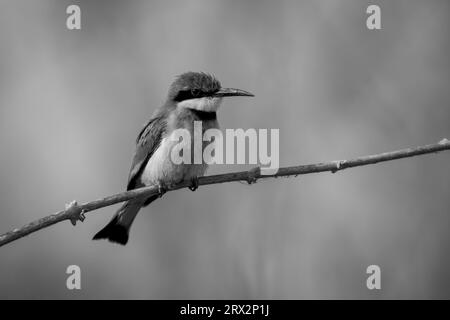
200,91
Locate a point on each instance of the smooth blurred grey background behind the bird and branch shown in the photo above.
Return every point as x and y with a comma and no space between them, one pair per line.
73,102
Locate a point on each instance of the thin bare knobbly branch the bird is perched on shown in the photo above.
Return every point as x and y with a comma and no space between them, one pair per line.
75,212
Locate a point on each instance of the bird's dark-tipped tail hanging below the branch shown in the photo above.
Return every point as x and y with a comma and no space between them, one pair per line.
118,228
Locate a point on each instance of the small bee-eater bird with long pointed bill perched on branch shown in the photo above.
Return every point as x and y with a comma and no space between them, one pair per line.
193,96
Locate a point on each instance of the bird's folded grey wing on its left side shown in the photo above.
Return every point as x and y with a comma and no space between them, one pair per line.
147,142
